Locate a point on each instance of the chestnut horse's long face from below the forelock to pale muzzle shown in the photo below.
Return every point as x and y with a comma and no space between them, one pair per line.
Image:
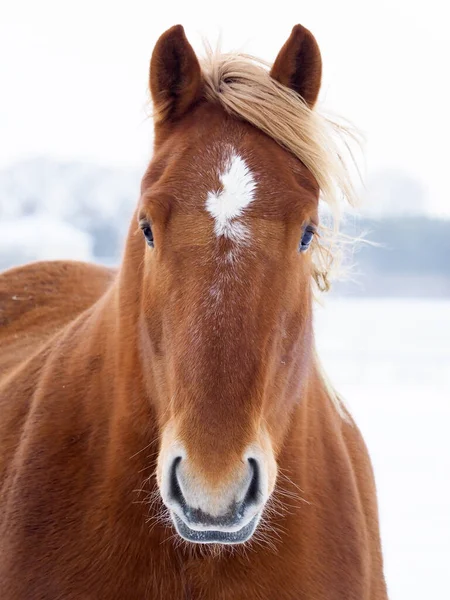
228,216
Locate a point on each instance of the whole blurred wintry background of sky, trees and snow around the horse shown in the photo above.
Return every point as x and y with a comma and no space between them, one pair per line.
75,138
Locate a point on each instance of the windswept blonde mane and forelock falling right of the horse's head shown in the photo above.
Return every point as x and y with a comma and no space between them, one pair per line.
243,86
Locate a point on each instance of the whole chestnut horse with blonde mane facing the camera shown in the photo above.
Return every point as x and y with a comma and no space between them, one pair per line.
167,431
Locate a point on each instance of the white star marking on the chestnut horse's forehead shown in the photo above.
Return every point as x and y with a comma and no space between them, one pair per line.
227,205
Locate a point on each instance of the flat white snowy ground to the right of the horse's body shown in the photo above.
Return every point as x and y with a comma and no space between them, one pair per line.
391,361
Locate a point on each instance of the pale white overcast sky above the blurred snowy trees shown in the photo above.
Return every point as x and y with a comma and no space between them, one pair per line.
73,75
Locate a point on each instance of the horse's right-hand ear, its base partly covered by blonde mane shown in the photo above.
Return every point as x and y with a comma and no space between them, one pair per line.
299,65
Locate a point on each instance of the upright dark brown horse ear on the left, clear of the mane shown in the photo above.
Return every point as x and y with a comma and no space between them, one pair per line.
175,75
